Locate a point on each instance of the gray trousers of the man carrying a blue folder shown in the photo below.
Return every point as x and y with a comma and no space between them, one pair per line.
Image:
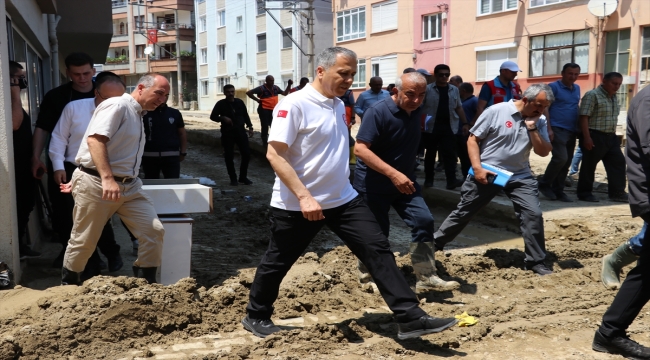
474,196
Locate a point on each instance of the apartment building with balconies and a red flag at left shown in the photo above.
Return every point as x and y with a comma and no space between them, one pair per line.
154,36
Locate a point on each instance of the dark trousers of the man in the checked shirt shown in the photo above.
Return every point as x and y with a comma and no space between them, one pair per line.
607,148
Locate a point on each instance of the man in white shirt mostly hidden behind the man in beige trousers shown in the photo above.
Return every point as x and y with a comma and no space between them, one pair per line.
65,142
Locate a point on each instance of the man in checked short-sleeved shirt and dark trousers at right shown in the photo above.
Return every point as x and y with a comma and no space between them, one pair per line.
598,118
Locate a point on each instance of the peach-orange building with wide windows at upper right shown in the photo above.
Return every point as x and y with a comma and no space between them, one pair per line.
543,35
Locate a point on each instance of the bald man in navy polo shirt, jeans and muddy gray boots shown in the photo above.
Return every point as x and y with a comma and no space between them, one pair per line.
387,143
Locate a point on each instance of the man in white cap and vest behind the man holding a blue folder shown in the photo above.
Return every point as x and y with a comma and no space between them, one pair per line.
501,89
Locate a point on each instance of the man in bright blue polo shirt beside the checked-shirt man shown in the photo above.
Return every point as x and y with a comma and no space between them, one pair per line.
563,114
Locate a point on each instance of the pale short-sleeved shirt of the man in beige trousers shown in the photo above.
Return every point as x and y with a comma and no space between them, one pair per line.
120,120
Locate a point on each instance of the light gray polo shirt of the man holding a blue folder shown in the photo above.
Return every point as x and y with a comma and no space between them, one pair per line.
505,141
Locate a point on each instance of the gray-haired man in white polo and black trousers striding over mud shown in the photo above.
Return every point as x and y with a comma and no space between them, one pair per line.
308,149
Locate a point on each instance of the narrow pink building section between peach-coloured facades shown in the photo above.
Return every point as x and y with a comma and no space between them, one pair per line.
431,25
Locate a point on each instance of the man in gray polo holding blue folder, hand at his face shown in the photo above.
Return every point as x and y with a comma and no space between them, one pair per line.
521,125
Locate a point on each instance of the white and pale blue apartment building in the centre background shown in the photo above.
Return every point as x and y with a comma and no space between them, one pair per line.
239,42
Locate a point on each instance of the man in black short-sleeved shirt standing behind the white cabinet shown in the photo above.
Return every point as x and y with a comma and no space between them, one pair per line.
166,144
